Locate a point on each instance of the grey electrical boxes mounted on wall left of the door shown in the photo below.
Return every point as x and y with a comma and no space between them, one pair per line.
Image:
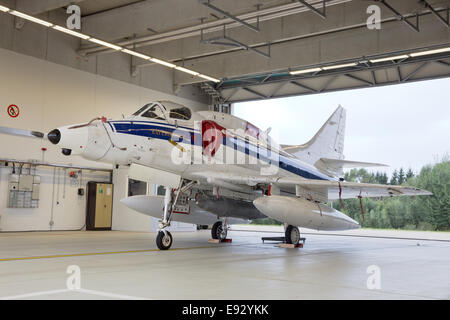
23,191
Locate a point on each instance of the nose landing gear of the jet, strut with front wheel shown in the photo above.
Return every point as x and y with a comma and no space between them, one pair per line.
164,238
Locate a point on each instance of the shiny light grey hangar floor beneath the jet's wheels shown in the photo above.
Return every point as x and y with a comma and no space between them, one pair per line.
121,265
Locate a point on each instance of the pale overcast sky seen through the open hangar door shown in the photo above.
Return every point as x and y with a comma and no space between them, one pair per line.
405,125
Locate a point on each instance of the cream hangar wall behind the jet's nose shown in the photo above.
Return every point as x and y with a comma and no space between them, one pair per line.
51,95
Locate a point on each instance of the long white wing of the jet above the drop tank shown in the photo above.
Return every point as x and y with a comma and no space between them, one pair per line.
331,189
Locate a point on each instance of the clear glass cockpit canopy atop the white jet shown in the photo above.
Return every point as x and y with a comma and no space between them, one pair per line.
162,110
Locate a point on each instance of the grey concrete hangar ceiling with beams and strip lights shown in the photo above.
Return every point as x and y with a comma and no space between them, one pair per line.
255,47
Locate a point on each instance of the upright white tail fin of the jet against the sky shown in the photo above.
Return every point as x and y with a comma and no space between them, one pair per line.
327,143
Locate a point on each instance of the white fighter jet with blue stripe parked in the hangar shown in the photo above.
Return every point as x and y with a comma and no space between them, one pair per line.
218,169
